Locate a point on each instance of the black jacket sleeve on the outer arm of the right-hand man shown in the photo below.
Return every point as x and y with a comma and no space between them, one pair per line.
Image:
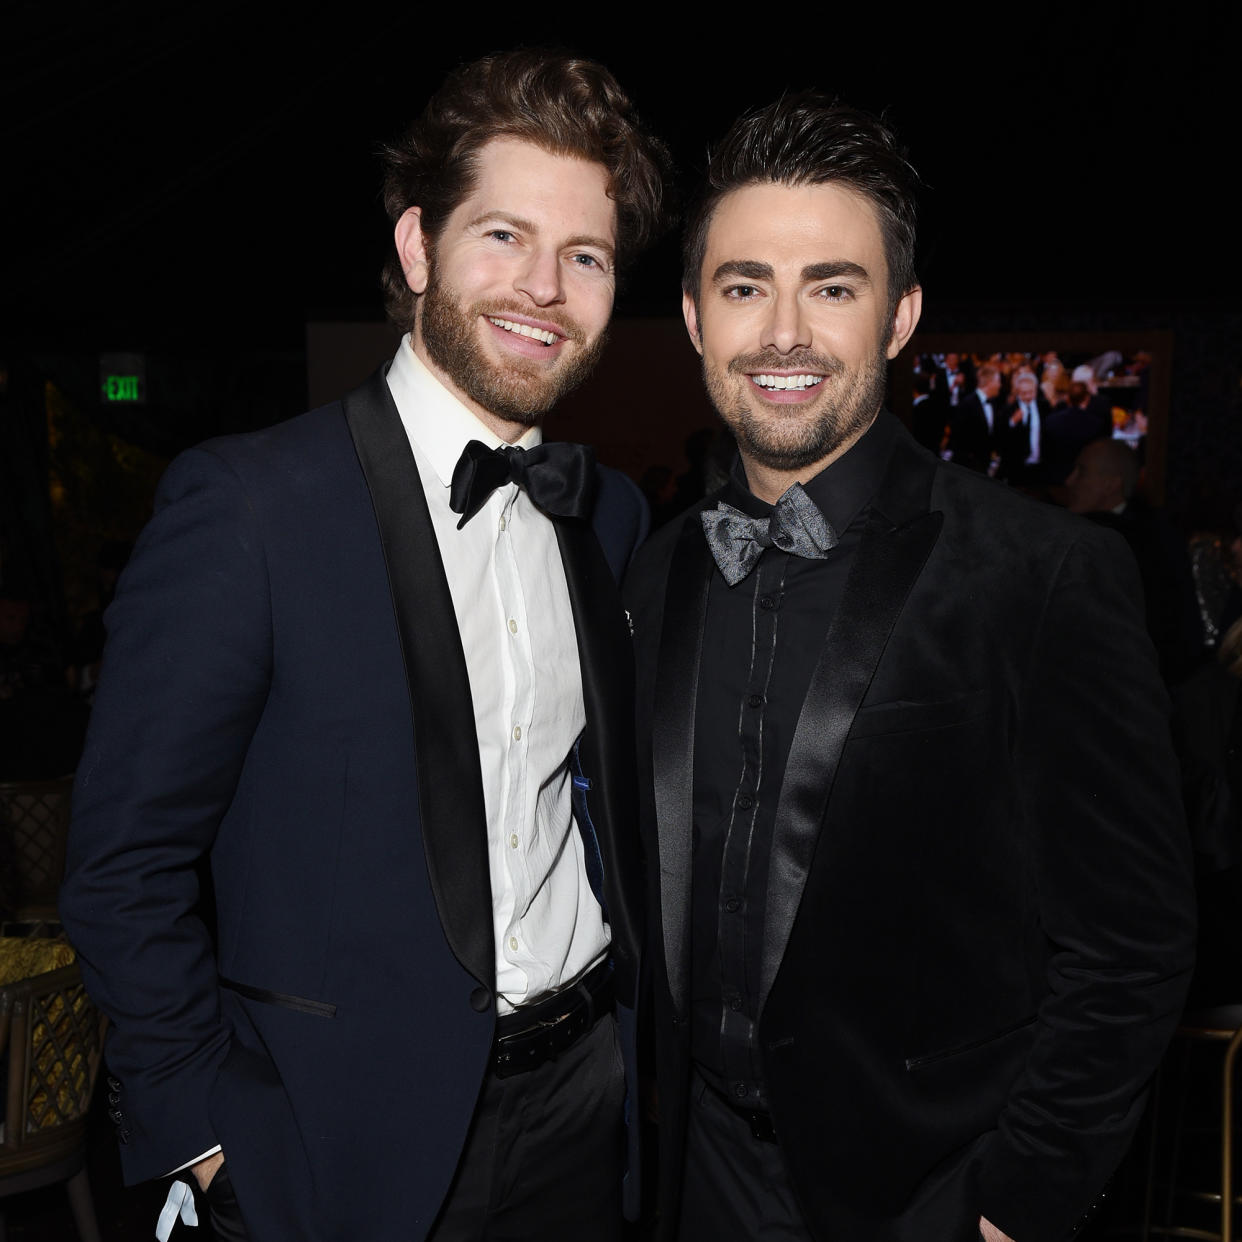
1099,789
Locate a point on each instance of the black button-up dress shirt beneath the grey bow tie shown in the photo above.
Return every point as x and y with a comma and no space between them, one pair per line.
761,645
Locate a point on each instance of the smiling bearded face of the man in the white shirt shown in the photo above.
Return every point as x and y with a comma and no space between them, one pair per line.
517,286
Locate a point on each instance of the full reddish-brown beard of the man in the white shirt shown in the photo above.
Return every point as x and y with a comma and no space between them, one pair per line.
520,391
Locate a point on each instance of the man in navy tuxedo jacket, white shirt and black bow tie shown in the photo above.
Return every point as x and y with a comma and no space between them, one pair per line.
372,665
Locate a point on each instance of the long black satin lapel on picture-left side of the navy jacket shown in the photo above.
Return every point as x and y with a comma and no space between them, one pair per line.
446,748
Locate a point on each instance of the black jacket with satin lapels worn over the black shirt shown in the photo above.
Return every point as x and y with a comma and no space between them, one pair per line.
979,922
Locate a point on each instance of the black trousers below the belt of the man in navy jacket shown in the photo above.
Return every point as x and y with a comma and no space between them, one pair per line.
546,1153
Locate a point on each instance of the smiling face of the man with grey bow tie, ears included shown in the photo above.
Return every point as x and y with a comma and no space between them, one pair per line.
792,325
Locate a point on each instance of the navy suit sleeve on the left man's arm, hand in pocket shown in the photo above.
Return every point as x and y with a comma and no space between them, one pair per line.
186,678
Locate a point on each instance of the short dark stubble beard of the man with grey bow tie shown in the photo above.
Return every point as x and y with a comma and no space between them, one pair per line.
793,438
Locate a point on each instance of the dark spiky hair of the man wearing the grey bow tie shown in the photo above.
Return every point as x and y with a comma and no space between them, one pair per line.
807,138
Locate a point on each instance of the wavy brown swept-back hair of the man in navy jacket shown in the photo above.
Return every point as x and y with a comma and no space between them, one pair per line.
563,104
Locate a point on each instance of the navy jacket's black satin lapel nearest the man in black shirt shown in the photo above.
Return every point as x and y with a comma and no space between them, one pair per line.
607,656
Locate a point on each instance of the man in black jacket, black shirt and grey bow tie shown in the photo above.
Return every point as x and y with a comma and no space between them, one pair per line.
925,910
